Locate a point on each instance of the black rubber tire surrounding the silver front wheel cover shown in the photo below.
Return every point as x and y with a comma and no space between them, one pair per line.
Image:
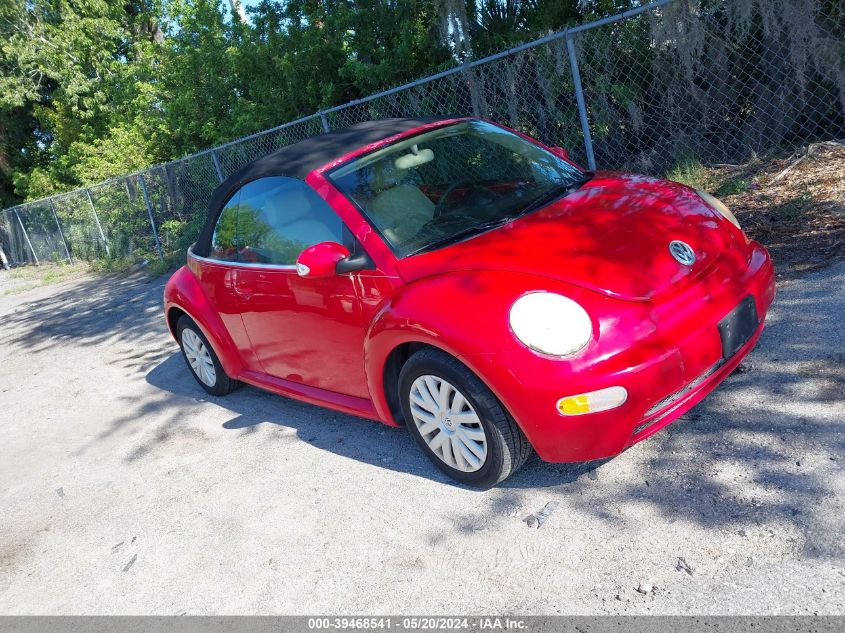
440,365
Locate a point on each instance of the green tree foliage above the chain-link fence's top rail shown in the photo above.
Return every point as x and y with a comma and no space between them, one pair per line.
95,88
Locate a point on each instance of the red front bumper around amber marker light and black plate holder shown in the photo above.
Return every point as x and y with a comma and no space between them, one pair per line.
667,354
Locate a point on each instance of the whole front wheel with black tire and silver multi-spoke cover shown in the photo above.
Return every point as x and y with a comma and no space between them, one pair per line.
505,448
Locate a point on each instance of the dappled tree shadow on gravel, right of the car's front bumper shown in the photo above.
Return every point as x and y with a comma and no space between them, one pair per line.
764,448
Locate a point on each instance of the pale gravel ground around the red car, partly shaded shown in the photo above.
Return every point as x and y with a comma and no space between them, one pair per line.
124,489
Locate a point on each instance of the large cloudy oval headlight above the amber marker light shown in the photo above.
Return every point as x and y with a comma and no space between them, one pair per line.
550,323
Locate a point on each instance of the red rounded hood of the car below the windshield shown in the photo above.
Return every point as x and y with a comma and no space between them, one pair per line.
612,235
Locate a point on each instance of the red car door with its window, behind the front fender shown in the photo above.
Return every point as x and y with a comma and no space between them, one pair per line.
302,329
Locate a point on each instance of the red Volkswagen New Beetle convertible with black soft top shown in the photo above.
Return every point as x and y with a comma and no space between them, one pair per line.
472,284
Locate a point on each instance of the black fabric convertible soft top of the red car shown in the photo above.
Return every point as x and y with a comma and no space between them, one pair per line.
299,160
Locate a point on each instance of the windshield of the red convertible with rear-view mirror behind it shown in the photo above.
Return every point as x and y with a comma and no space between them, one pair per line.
452,183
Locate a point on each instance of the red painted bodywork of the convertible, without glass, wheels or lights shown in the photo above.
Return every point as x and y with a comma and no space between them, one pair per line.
605,246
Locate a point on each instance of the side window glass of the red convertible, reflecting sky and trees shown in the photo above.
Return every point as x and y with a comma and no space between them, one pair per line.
271,221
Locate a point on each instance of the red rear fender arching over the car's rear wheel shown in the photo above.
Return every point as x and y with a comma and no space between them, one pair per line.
184,291
